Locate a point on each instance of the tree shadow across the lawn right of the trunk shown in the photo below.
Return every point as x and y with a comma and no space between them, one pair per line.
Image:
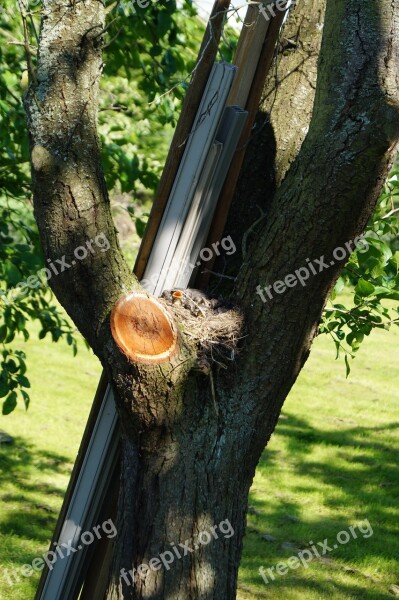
357,476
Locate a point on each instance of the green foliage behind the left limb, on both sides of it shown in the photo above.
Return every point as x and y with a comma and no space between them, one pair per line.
146,54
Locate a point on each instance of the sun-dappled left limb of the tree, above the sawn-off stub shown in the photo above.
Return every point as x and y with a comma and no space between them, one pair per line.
70,197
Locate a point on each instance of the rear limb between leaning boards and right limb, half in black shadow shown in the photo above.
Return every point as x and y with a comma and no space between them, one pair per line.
281,125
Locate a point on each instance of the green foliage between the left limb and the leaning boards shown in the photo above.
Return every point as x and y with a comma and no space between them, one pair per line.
150,52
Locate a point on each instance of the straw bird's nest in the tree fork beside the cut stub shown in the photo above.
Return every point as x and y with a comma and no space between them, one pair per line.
216,332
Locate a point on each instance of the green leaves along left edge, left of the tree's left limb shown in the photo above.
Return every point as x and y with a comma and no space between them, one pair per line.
20,252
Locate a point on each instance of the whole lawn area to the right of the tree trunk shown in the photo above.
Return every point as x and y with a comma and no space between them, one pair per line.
331,463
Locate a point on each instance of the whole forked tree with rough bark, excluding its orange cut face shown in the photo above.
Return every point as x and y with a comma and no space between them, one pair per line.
188,457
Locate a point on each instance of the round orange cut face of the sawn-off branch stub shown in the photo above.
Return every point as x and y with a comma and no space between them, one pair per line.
143,329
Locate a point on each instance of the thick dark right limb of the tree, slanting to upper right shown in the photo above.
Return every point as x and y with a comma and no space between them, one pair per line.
328,194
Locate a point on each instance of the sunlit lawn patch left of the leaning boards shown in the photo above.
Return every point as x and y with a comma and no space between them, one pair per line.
35,469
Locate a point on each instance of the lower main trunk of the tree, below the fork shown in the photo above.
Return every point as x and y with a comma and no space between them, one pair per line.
189,509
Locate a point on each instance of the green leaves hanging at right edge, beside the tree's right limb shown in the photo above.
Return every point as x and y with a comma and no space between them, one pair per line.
372,272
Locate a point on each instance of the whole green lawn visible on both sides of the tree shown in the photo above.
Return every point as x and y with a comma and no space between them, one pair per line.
332,462
